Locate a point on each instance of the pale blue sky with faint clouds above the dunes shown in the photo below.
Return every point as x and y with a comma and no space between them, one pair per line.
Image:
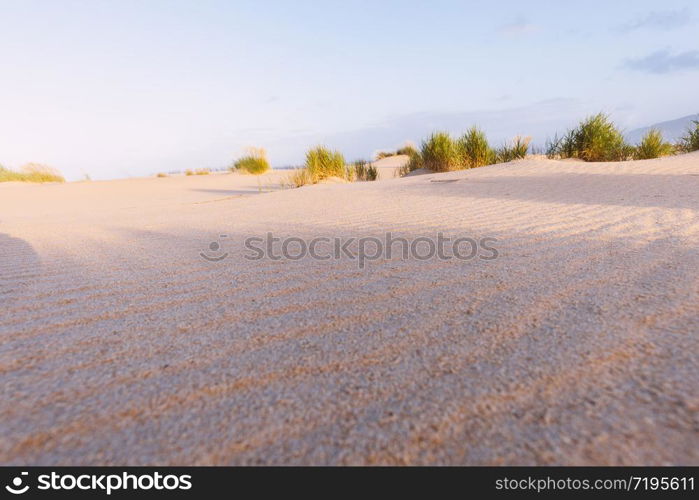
116,88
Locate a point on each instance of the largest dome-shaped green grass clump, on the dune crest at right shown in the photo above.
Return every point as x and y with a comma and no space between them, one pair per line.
595,139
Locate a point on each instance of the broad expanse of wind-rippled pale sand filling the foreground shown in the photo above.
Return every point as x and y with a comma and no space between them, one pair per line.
578,345
